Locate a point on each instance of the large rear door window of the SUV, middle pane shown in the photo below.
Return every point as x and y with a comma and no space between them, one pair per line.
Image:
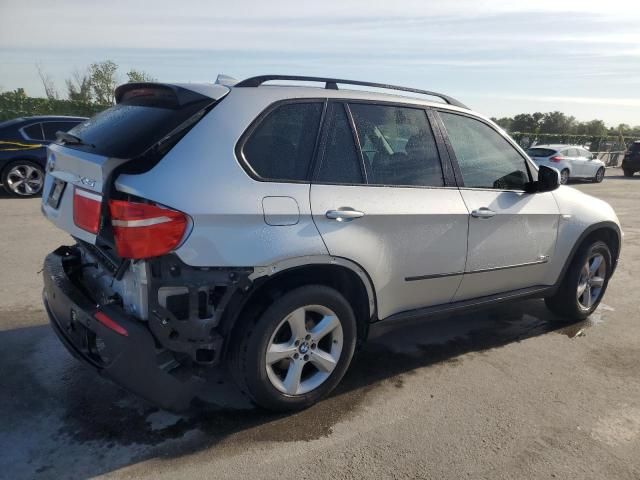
398,145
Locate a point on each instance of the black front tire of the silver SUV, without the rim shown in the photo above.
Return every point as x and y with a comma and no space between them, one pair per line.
565,302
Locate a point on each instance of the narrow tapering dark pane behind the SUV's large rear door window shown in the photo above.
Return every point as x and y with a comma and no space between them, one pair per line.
340,162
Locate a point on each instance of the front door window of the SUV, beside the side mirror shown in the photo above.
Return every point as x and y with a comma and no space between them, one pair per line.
485,158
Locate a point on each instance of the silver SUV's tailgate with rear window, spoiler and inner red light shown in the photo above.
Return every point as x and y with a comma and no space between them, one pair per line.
147,120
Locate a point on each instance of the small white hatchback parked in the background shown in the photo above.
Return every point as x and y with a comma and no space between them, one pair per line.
572,161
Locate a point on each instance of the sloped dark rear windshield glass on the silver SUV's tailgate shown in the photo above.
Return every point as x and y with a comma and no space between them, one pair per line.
128,129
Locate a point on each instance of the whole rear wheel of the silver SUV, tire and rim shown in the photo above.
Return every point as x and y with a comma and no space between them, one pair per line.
298,350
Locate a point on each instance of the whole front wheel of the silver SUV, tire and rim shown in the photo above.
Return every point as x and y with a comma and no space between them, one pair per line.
584,282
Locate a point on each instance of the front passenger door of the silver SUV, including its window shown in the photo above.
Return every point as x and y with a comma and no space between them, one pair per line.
512,234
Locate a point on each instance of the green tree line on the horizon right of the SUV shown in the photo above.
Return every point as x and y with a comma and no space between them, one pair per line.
557,122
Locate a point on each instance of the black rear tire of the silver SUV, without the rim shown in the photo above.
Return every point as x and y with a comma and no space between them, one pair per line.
248,355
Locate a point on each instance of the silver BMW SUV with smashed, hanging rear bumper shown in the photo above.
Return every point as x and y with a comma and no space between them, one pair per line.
272,228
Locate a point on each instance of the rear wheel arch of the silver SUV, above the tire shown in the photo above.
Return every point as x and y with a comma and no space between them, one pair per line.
269,283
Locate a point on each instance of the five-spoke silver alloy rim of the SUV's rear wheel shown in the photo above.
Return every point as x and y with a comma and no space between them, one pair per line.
304,349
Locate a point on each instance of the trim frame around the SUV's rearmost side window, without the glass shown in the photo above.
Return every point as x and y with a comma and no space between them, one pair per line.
255,123
